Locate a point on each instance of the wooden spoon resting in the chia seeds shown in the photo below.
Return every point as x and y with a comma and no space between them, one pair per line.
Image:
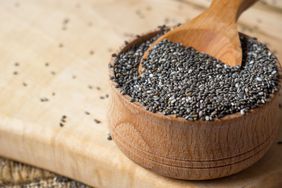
213,32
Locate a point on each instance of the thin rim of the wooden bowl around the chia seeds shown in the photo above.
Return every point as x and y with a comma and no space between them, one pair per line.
158,115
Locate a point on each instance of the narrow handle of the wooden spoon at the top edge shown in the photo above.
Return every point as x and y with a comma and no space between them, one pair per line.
230,10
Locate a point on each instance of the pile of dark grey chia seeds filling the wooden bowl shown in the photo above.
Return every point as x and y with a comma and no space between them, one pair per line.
181,81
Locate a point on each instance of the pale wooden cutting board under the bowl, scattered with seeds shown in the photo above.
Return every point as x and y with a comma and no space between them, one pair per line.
54,89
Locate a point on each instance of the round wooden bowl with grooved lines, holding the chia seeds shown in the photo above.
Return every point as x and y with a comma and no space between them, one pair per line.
190,150
